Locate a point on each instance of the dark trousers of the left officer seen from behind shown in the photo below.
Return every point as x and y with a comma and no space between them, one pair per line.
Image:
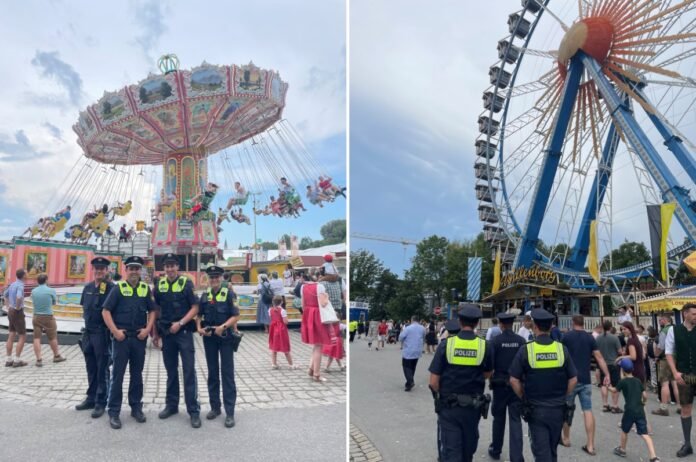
458,433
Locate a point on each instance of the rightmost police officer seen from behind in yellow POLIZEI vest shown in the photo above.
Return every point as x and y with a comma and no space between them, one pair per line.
542,375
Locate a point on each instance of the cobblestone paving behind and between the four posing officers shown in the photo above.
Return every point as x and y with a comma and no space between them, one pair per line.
63,385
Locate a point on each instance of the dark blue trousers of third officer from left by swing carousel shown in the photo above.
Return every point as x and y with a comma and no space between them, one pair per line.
173,346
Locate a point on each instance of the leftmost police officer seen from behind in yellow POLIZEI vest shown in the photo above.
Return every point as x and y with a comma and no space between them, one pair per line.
458,376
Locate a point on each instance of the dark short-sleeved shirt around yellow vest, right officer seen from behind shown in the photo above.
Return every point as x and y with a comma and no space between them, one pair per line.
543,387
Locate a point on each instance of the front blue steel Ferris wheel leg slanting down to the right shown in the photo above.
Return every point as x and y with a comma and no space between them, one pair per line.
671,190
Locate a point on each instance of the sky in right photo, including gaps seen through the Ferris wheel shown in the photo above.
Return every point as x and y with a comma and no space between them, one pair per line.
417,75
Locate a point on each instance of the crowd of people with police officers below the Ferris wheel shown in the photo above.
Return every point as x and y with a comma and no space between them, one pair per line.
538,372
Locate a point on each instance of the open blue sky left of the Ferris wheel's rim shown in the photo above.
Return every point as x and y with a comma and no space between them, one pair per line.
415,97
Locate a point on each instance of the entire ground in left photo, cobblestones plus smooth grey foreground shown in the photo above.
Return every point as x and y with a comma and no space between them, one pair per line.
281,414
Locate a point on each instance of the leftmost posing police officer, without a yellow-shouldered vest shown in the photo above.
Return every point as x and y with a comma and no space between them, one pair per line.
95,339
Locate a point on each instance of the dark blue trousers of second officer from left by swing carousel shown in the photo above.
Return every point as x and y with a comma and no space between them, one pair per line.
130,352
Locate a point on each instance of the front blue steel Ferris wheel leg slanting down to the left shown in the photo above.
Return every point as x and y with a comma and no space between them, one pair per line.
530,235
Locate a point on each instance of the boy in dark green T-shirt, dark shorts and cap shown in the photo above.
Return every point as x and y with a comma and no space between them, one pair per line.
634,411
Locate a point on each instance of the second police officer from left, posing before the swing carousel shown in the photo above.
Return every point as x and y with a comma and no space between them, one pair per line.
129,313
